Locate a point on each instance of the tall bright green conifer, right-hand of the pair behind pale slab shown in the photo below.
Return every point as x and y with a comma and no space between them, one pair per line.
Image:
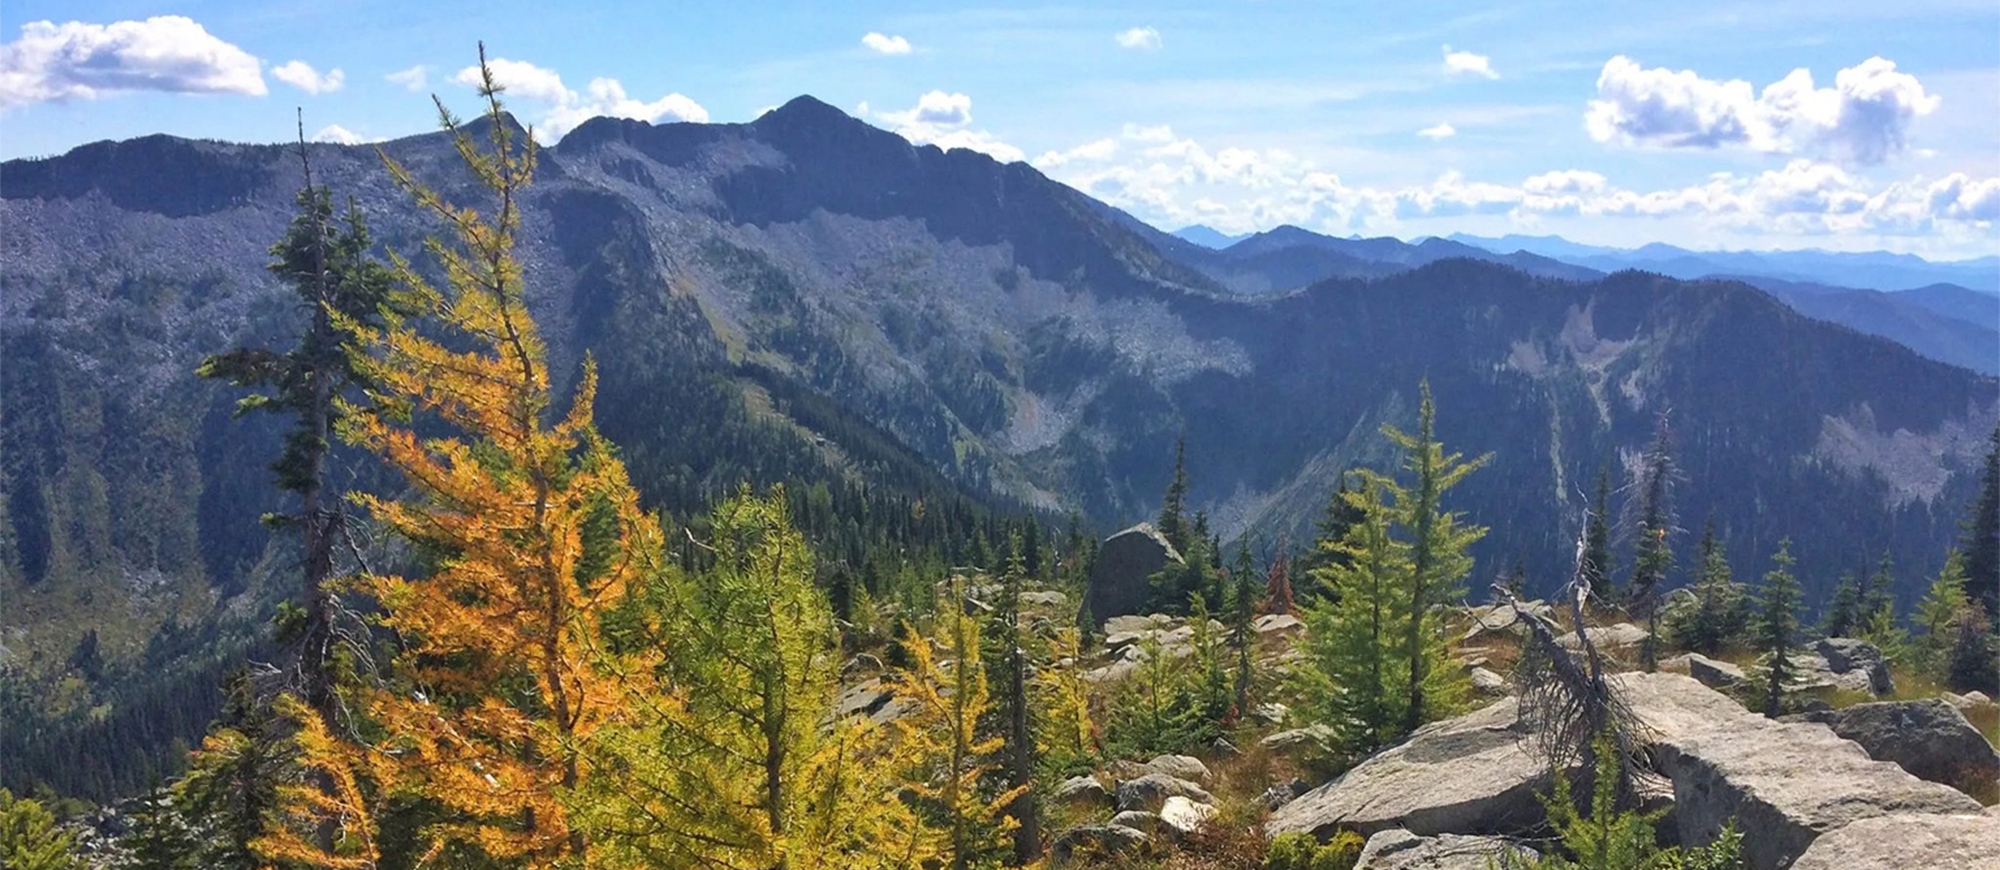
1439,557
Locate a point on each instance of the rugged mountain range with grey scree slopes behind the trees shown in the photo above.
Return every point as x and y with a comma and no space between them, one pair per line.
865,309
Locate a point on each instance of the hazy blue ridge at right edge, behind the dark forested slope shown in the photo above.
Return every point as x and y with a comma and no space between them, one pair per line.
1897,317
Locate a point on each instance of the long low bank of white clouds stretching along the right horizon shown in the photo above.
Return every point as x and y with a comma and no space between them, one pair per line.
1175,181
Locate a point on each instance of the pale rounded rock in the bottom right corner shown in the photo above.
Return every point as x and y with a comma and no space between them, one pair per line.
1899,843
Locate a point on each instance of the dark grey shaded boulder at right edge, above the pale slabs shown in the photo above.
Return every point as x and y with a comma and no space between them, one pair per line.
1931,739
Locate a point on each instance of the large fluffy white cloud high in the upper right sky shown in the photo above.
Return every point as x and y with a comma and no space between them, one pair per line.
1863,119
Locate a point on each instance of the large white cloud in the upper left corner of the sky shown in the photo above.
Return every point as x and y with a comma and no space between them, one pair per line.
81,61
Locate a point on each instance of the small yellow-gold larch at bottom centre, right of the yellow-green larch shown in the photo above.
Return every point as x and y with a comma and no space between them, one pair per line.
943,737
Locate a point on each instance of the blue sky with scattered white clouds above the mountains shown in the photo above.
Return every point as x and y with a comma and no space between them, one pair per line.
1711,125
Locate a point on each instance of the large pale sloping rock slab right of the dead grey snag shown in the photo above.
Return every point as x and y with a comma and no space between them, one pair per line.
1783,785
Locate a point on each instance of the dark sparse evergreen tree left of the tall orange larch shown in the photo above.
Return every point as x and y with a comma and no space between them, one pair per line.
343,293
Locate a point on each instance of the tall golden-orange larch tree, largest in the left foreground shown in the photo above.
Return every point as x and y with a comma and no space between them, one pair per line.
535,529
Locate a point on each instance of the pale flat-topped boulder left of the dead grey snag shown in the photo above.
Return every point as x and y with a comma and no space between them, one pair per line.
1459,777
